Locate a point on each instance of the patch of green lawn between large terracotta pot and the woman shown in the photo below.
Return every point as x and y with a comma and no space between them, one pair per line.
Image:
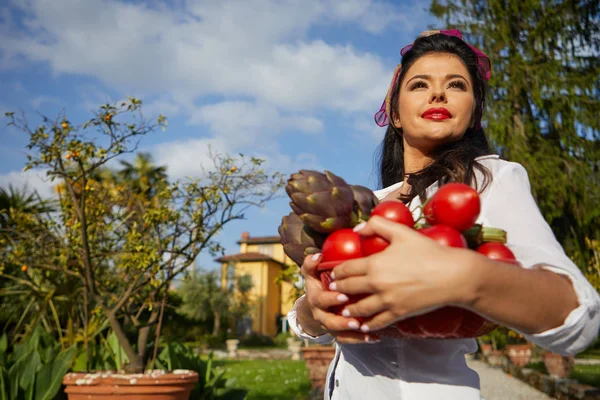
269,379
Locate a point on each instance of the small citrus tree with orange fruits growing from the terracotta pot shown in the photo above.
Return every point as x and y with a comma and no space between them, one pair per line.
126,236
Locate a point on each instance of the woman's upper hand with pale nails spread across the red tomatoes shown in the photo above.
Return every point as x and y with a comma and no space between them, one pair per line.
412,276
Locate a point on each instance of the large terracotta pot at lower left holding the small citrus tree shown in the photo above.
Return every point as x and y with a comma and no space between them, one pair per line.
153,385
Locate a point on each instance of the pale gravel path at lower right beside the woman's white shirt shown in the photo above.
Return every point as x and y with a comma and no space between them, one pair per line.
496,385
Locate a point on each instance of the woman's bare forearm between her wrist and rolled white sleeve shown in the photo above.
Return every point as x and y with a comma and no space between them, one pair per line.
528,300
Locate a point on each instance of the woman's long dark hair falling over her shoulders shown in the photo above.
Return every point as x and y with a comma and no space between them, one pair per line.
455,161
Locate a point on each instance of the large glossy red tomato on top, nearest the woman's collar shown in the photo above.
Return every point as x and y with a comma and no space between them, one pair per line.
456,205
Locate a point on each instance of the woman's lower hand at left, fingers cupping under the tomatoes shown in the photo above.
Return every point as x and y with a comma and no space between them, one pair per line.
313,314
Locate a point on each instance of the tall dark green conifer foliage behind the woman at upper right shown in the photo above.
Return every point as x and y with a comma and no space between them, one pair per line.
544,102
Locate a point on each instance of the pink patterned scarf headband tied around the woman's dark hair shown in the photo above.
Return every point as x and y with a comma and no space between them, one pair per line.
382,117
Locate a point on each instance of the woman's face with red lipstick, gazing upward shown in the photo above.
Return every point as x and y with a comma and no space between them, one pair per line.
436,102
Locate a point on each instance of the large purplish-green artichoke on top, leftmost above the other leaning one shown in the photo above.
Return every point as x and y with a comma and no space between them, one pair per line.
324,202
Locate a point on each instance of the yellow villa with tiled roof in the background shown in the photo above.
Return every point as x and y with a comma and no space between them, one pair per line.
263,259
